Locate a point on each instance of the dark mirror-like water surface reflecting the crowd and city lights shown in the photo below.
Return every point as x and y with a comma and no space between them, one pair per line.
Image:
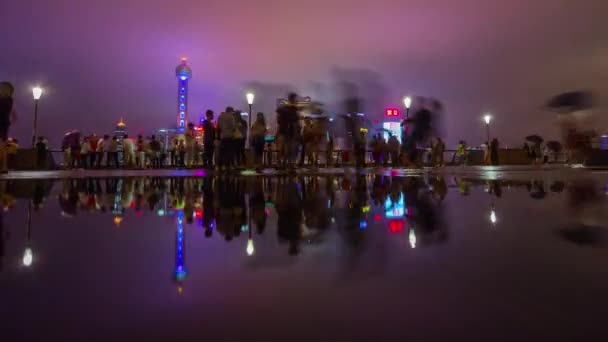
351,257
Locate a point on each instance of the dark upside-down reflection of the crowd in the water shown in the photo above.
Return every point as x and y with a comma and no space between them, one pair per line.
305,206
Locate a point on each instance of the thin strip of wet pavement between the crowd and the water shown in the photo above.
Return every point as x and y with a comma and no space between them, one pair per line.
486,172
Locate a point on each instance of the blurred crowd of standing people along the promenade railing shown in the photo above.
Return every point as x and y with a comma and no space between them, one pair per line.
223,143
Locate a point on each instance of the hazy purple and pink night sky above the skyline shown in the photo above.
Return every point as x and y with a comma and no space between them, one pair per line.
100,60
